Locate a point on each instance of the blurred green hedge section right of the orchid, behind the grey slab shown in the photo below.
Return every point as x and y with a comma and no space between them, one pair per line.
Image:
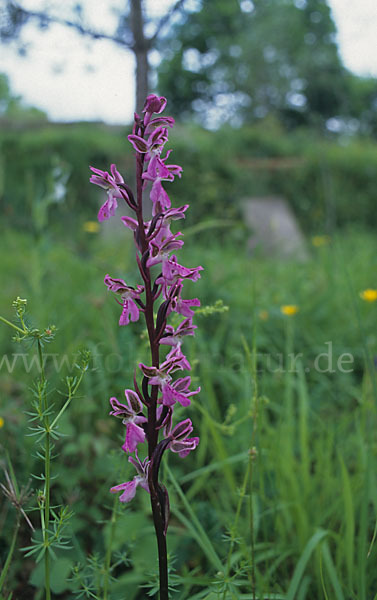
329,185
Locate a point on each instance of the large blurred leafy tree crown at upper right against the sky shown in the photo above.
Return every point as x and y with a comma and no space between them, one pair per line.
239,60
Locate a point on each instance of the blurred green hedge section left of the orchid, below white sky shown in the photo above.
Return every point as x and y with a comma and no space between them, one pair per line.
49,166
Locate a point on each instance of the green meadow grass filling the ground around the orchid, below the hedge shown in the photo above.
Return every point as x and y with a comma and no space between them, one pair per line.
280,498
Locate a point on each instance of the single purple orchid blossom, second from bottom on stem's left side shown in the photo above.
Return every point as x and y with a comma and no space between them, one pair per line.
131,418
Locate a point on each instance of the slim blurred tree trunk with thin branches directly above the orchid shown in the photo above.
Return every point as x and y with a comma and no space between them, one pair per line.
130,32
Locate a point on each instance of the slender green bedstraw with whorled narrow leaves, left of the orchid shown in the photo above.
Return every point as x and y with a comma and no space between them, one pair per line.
45,420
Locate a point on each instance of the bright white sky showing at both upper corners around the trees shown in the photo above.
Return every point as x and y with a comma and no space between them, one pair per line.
72,78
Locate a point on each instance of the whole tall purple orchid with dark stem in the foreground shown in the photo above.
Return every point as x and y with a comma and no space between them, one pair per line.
148,409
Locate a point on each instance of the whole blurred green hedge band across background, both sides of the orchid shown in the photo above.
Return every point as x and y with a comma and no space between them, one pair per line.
44,175
